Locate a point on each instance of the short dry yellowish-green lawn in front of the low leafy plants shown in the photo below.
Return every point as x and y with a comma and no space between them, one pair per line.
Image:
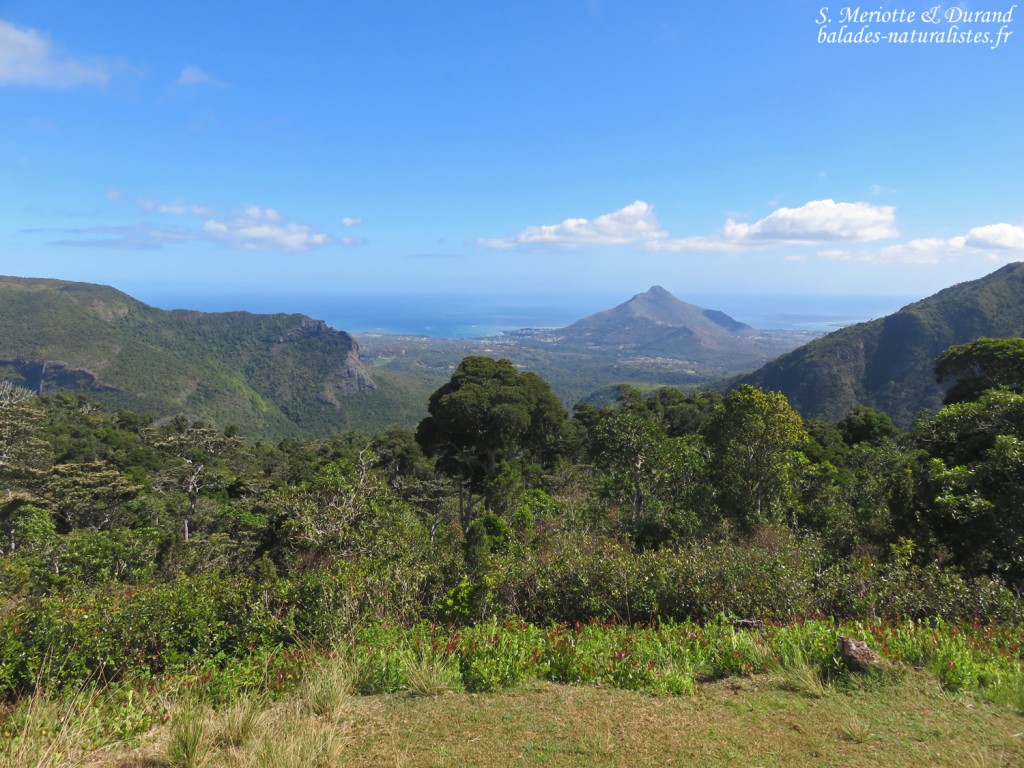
732,722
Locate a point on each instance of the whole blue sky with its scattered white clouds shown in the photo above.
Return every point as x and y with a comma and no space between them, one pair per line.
567,146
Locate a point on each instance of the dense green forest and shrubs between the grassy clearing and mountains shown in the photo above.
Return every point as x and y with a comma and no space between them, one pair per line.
662,506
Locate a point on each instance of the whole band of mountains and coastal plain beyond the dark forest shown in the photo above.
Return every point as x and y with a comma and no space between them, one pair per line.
291,376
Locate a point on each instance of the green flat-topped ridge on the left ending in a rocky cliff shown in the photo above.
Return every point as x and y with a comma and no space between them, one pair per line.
271,375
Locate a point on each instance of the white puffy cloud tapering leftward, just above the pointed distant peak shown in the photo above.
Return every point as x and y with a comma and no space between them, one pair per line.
634,225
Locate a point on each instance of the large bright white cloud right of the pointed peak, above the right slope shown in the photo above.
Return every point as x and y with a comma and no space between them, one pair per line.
820,222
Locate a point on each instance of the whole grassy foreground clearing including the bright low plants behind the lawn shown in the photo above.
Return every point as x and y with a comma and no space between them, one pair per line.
499,695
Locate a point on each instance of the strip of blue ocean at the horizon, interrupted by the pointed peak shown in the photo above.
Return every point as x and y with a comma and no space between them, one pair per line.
462,316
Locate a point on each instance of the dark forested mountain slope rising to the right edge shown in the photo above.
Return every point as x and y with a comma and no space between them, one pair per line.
888,364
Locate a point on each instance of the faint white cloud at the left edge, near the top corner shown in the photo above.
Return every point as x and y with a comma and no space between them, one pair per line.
28,58
